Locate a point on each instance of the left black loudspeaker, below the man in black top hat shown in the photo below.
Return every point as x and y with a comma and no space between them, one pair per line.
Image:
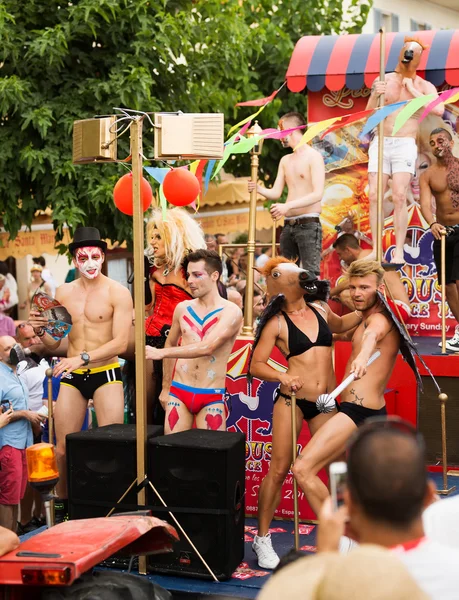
101,465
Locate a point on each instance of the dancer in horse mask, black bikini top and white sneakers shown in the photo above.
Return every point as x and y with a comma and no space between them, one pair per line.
302,330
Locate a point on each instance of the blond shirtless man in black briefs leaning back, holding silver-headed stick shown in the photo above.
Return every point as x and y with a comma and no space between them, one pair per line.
364,398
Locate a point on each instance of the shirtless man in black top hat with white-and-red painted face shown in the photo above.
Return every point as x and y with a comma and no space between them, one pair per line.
101,311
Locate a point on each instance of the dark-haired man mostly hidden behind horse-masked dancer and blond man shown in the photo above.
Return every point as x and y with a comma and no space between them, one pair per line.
348,250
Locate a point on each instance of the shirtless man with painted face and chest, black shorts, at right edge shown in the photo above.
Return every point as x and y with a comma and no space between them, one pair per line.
442,181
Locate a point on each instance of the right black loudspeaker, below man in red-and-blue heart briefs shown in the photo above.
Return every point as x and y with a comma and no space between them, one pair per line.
200,475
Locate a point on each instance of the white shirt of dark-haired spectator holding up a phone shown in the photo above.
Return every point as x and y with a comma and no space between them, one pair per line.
433,566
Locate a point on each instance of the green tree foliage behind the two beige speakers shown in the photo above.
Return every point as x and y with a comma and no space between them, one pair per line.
62,61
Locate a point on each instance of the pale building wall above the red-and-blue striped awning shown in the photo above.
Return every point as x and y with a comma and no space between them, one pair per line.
410,15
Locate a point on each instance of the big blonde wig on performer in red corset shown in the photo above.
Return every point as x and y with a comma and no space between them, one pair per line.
181,234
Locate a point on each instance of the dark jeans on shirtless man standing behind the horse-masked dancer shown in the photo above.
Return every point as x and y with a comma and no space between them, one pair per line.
304,242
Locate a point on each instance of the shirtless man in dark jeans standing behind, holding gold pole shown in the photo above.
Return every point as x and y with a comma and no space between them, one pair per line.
304,174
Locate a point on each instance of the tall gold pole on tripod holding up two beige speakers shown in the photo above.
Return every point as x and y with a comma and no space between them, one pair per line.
139,305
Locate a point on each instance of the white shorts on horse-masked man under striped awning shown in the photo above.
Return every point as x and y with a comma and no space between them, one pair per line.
399,155
